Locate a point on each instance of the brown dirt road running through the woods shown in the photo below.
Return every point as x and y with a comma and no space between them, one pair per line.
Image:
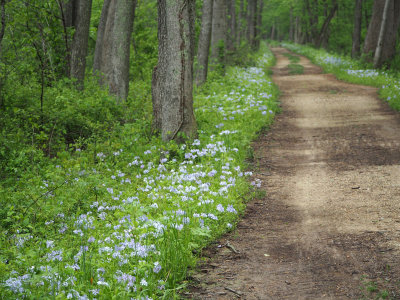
329,225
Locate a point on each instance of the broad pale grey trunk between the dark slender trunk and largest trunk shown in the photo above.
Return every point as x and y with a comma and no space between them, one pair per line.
114,43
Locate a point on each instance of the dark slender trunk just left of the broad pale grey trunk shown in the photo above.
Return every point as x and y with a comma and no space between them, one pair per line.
80,42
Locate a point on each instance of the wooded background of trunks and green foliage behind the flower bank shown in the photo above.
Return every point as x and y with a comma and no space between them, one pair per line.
72,69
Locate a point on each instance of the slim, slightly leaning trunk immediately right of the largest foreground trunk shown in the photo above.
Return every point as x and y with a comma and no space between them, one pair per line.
204,42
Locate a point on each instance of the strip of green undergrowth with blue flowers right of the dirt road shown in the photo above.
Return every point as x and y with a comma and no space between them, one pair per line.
354,71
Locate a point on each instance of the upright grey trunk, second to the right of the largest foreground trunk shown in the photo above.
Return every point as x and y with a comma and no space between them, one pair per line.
218,34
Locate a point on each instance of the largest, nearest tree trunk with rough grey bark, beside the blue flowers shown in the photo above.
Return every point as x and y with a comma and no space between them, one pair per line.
173,77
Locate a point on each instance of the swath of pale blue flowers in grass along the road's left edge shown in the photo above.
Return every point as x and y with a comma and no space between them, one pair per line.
156,202
